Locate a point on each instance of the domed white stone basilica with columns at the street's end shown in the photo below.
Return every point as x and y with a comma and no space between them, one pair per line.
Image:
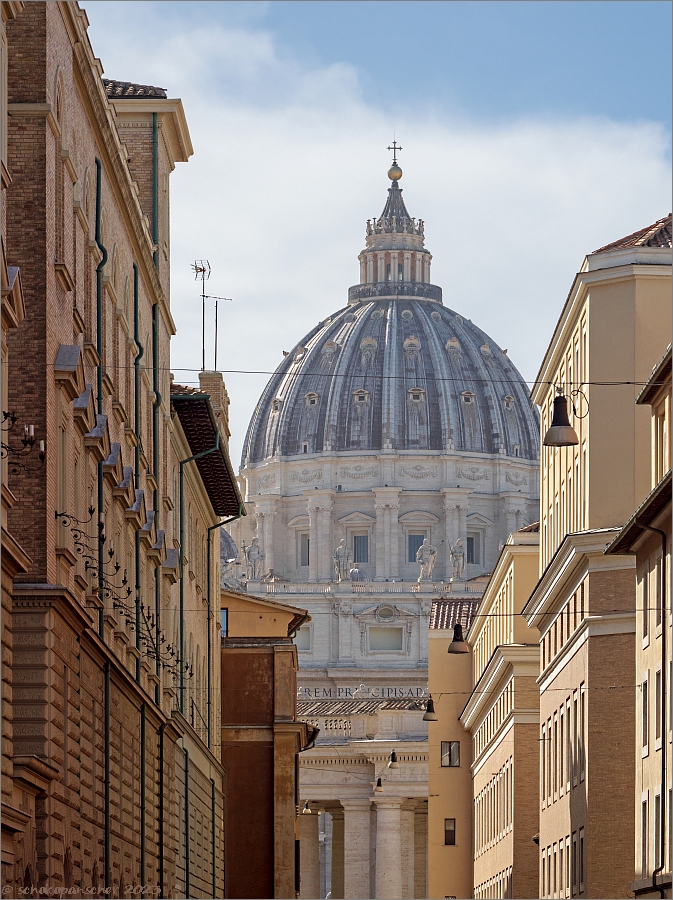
390,456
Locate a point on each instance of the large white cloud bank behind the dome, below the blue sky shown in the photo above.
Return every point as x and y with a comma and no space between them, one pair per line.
290,161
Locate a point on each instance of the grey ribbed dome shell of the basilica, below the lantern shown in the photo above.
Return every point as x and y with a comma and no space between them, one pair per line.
396,372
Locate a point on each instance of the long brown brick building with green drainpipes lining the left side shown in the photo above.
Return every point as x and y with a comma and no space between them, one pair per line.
109,776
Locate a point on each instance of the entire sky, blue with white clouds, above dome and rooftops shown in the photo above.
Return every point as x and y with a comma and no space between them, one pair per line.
533,132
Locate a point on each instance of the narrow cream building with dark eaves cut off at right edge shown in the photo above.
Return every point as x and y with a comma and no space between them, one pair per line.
647,535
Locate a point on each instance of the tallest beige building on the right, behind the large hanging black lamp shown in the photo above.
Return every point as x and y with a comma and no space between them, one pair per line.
614,326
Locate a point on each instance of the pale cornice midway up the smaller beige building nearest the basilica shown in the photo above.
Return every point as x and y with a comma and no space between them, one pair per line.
507,661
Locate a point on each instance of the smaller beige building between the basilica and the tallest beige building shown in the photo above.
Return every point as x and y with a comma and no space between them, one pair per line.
502,718
